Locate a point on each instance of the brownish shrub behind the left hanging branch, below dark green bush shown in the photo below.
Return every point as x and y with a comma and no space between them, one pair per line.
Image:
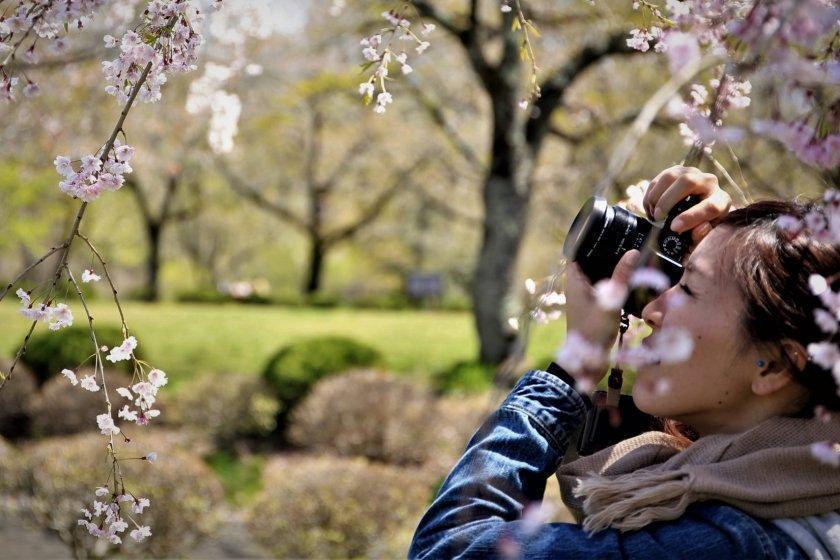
63,409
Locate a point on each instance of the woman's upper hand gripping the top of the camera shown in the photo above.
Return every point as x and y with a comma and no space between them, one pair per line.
676,183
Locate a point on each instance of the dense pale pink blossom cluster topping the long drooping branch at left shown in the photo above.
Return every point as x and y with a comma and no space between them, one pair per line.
166,42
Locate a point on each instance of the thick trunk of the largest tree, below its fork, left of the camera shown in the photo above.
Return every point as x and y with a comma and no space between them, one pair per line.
506,192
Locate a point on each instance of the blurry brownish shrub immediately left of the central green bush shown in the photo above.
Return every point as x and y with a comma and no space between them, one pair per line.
224,408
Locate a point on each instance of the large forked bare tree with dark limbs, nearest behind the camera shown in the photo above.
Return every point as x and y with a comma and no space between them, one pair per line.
517,137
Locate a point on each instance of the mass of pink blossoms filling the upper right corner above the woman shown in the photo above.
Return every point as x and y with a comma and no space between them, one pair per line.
789,44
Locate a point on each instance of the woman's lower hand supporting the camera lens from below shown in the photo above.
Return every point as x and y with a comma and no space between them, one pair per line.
585,316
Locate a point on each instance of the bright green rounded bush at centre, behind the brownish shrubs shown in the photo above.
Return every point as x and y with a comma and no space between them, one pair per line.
293,370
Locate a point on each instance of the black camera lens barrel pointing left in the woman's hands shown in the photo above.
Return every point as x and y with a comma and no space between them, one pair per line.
601,234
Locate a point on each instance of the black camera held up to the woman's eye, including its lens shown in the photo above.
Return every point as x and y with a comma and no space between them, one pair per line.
601,234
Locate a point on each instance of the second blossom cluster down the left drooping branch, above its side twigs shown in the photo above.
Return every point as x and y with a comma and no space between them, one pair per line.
95,174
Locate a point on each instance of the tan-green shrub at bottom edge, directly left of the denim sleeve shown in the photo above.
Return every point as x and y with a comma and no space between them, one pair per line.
327,507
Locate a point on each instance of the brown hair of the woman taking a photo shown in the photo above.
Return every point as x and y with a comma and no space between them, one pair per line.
772,267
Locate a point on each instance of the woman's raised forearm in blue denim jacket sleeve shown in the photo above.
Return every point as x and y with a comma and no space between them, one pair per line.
504,468
